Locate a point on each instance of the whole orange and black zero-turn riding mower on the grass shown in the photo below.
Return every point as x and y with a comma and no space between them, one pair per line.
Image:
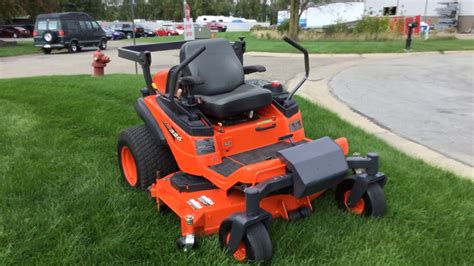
229,155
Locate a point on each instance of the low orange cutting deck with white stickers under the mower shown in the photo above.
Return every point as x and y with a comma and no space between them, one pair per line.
207,215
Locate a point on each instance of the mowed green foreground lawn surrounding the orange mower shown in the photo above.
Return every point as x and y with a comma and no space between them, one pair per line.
62,200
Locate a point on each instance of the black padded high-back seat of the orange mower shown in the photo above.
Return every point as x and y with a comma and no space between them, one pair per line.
224,92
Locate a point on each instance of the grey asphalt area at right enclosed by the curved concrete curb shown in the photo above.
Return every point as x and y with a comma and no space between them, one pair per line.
426,98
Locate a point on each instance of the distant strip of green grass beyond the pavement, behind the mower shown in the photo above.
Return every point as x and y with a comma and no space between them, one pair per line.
359,47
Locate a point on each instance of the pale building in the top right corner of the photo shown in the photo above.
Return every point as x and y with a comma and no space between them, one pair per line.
460,12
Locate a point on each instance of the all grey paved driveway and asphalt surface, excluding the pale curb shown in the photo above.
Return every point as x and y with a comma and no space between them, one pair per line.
427,98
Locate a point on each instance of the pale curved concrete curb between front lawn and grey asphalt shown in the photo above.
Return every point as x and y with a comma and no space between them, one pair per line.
319,92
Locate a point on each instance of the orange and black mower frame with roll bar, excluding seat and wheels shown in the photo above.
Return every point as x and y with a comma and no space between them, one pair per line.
281,186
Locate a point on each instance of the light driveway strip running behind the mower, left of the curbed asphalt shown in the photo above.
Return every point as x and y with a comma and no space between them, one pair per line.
282,68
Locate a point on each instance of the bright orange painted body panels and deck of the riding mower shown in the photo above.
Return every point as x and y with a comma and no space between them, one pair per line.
228,141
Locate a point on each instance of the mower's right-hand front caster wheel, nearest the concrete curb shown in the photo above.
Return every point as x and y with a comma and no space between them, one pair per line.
372,202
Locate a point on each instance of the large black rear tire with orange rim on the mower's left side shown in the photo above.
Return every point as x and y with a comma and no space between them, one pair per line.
141,159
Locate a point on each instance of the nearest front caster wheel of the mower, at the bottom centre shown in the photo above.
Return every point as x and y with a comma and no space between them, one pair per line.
256,245
